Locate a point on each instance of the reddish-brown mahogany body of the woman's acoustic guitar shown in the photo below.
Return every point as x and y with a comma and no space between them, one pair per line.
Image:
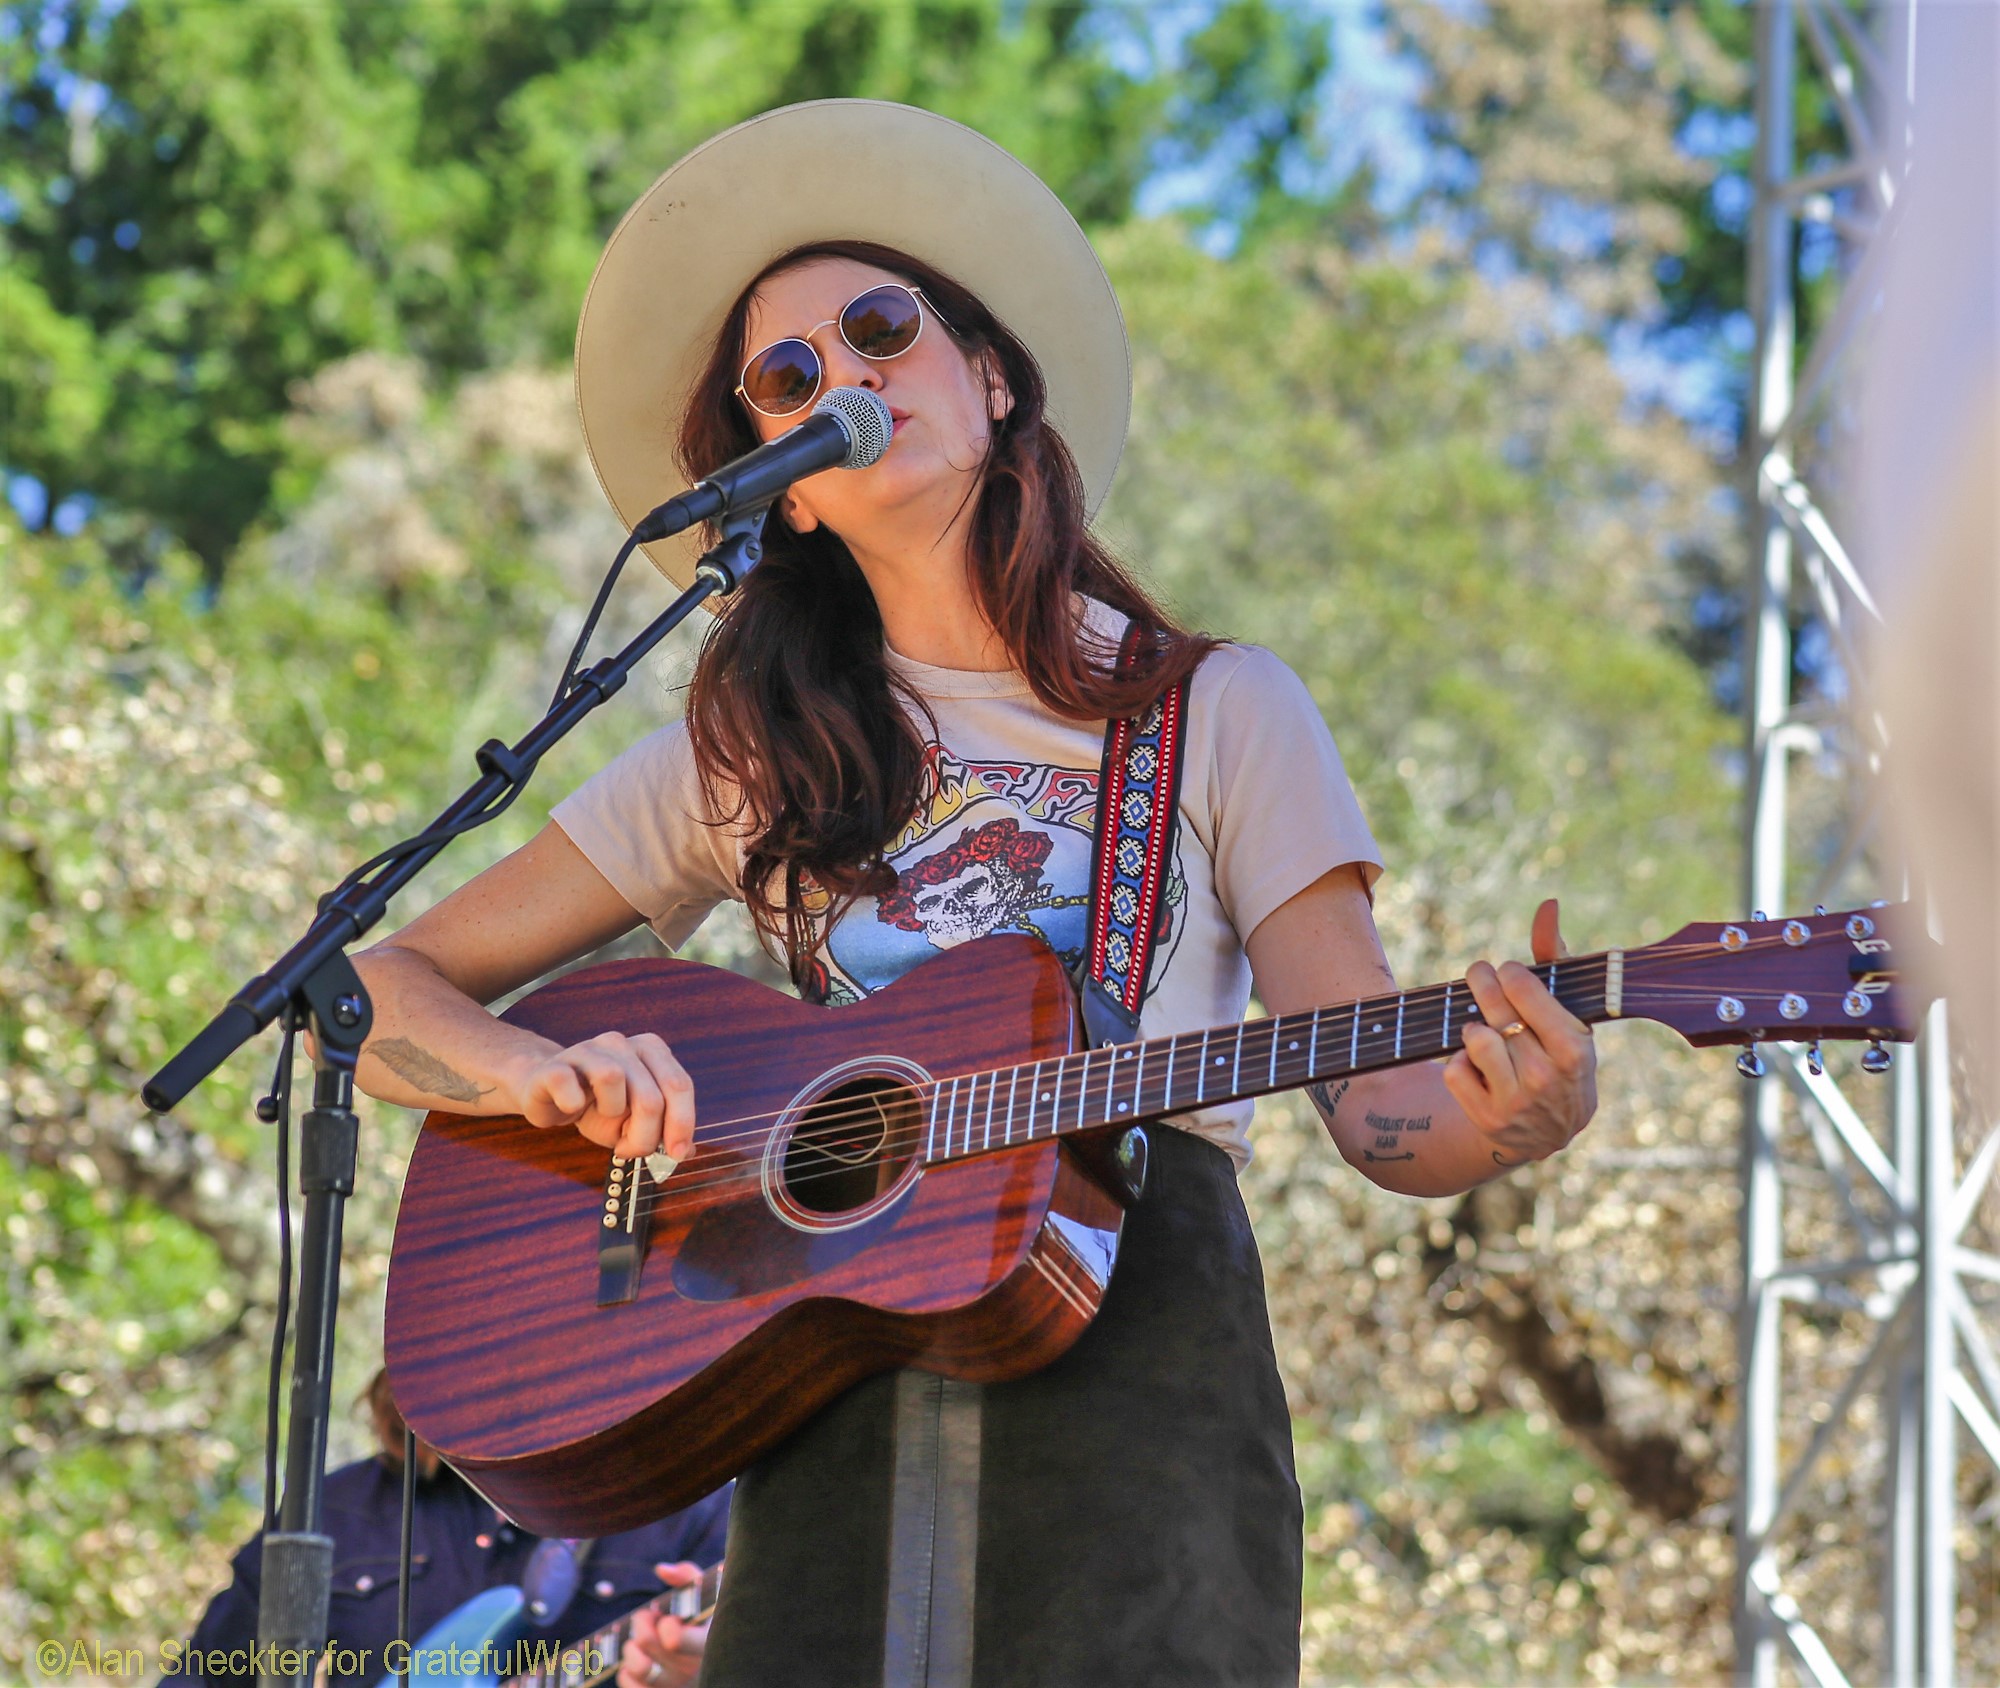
783,1265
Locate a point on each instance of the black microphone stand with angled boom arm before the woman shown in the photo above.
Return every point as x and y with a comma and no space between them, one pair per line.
315,985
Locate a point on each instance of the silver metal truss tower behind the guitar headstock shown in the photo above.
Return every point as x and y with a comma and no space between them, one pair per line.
1867,1373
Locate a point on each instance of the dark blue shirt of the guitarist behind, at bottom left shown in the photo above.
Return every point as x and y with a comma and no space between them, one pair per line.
459,1549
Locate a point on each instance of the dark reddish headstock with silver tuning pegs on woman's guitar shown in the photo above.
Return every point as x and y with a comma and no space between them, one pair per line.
1805,979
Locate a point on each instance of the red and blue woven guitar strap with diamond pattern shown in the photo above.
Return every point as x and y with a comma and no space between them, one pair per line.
1139,811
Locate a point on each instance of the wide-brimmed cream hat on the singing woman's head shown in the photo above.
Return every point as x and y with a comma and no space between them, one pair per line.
835,171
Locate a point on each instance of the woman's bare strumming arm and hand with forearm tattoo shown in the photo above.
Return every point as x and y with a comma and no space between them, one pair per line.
437,1047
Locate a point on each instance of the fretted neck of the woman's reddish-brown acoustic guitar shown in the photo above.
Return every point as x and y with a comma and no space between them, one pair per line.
1129,1085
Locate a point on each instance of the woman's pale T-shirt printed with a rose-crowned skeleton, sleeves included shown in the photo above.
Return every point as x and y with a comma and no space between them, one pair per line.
1003,837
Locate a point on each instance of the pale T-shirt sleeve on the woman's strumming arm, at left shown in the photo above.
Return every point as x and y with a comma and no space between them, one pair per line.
641,821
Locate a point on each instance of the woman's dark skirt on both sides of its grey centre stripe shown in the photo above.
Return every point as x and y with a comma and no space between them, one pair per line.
1139,1511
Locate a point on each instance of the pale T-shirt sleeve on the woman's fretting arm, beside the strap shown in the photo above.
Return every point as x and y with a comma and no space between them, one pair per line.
1281,805
